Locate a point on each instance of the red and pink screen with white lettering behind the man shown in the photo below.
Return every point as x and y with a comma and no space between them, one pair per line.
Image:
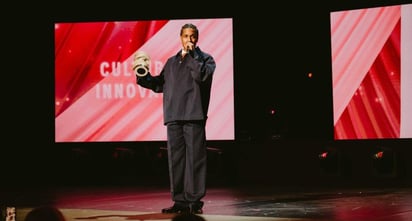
96,95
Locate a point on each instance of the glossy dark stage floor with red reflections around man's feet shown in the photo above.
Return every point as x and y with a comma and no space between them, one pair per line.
221,203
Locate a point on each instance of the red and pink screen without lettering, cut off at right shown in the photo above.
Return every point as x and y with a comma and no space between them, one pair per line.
372,72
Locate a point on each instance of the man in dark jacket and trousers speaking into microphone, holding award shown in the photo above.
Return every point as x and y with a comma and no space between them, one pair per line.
185,81
